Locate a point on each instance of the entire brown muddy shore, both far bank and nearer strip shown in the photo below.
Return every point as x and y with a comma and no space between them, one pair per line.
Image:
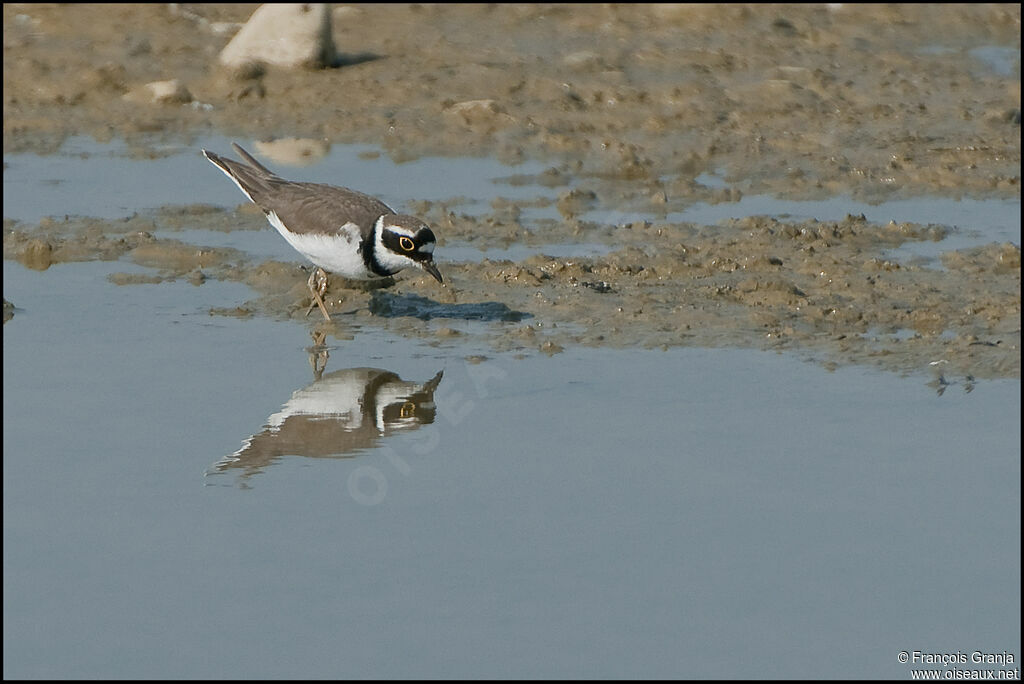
630,105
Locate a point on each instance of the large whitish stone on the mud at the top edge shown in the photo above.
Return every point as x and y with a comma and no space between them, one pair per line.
284,35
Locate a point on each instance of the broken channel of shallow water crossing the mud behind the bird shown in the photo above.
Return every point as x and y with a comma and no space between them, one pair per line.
106,182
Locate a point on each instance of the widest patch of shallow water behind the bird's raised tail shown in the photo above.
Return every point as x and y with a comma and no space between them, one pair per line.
109,182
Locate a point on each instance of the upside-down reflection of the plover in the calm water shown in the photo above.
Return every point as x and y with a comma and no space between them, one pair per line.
339,415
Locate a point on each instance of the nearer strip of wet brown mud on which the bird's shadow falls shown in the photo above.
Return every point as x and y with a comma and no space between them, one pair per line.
822,288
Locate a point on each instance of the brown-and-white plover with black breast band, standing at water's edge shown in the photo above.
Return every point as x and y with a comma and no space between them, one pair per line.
340,231
